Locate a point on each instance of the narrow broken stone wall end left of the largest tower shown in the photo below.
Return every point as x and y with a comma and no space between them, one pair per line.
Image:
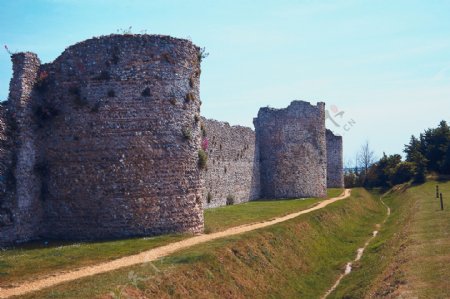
20,207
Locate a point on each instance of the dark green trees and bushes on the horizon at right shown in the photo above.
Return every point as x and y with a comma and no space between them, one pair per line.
428,153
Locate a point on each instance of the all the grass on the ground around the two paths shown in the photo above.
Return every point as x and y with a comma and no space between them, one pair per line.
300,258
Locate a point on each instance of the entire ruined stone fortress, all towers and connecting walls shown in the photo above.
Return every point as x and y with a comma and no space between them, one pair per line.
107,141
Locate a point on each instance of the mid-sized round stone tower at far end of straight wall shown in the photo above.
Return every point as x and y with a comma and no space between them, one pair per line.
292,150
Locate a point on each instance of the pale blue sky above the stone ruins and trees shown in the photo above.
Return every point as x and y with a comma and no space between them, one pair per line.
385,64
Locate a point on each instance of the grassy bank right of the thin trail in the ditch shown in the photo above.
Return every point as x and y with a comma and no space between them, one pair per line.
411,255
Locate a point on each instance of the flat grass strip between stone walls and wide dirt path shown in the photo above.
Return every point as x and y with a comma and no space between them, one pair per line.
33,260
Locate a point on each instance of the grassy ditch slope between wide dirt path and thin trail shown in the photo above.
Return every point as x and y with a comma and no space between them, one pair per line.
298,258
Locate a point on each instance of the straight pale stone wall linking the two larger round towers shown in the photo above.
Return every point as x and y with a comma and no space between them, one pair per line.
233,164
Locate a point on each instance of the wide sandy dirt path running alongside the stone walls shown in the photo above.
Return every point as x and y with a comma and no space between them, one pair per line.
152,254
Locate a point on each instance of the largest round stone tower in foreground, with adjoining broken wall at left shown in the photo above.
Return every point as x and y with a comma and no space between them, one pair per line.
106,143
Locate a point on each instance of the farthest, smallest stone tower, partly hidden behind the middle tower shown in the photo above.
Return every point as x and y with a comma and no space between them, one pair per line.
335,166
